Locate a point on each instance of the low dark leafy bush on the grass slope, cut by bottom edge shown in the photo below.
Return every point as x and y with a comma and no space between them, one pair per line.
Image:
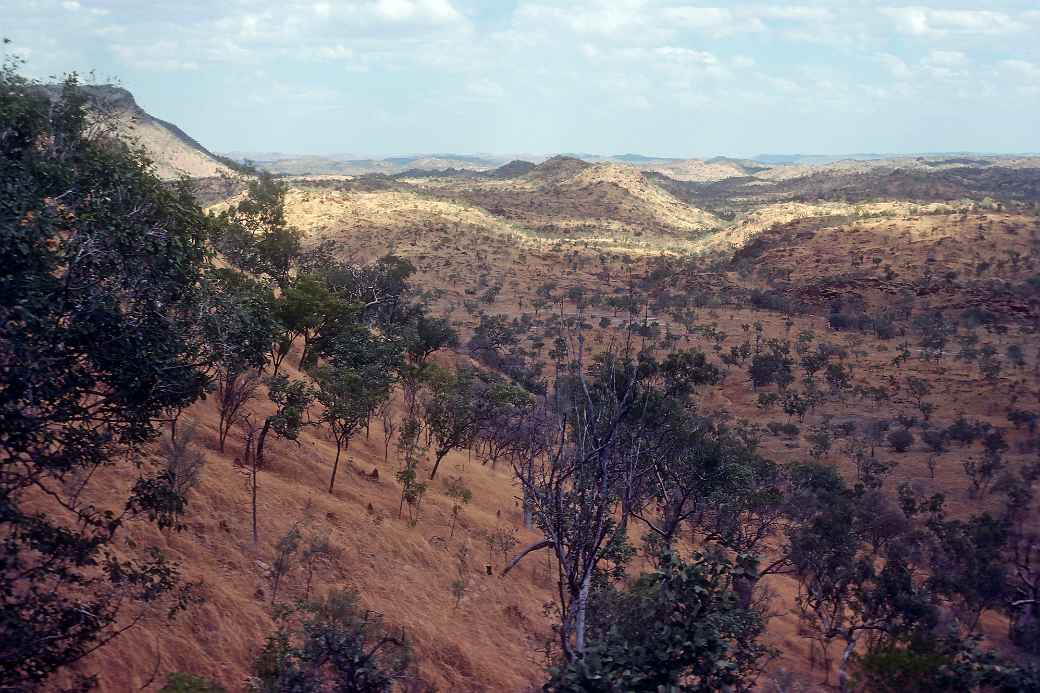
331,645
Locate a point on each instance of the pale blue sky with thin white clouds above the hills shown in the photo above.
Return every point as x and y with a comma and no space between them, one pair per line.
664,79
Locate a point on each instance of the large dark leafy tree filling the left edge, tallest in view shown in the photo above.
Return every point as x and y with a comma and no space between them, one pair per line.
100,275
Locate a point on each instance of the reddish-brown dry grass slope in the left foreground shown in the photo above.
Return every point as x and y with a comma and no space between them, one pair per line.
404,573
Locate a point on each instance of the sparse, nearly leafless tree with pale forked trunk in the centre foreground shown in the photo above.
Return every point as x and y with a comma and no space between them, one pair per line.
577,489
